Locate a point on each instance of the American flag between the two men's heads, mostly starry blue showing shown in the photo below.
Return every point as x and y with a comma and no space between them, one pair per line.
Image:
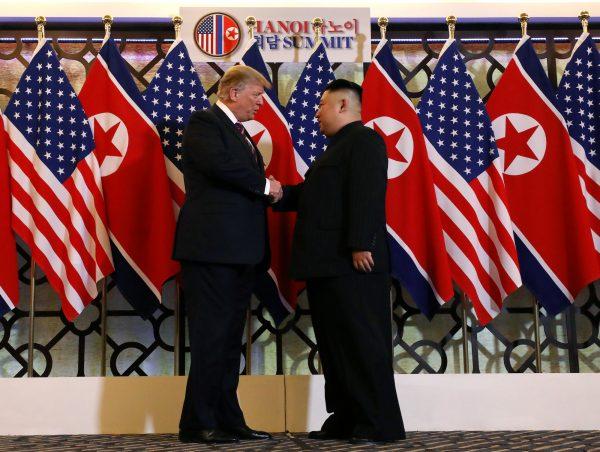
300,110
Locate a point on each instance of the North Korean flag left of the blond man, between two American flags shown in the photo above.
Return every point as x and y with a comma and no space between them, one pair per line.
136,187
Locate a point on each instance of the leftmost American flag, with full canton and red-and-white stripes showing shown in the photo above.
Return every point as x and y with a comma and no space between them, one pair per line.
57,201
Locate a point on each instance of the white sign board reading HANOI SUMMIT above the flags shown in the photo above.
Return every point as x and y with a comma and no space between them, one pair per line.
283,34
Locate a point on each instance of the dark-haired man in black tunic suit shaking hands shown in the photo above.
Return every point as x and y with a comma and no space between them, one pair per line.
340,249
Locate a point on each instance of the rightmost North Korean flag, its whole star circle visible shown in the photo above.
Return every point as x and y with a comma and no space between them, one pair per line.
551,225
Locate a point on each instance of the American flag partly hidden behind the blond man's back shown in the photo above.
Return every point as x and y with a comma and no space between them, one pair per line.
173,95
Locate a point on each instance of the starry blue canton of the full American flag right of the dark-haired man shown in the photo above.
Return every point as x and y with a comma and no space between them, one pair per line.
454,118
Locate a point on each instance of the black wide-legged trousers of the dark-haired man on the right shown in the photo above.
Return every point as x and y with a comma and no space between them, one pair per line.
352,322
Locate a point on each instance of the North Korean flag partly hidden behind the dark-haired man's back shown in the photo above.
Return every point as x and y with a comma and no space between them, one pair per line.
418,253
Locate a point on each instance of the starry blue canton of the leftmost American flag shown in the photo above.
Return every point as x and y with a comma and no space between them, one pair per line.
48,114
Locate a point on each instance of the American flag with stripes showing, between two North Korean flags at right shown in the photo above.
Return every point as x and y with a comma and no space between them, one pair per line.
469,186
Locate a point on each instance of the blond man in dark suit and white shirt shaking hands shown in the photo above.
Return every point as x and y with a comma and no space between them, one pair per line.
222,243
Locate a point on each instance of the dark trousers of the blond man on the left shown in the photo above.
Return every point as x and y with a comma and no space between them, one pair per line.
216,299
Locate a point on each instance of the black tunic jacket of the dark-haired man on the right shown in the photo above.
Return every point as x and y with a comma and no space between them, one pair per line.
341,206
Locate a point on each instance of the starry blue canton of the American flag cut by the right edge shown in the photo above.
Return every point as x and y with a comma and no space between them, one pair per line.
578,98
